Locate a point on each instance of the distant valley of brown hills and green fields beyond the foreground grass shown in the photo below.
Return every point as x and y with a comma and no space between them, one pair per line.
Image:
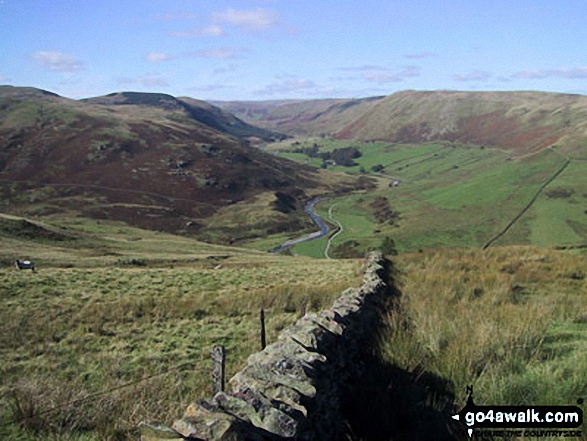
188,167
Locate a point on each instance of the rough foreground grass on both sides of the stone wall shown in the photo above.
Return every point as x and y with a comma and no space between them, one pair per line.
116,324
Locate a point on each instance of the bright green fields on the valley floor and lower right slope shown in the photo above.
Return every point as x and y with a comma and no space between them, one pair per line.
453,195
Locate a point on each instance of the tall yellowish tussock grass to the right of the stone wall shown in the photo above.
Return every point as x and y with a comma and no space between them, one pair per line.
510,321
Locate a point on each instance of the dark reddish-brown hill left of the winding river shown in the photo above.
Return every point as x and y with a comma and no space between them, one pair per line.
155,162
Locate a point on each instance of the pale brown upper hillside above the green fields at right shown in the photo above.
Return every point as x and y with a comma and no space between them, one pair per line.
519,121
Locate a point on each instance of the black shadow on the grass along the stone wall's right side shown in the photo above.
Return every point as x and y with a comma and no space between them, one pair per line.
388,403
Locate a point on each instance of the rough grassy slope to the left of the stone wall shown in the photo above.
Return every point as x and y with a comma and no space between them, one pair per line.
117,323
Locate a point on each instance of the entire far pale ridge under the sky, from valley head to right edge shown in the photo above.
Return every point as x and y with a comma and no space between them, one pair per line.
522,122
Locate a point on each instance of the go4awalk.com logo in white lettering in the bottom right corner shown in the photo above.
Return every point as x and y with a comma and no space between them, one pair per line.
529,421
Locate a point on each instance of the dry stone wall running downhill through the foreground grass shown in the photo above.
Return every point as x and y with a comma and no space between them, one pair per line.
293,388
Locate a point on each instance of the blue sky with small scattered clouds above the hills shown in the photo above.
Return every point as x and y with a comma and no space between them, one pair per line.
281,49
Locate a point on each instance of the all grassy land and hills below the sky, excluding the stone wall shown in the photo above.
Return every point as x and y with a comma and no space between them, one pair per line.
151,220
